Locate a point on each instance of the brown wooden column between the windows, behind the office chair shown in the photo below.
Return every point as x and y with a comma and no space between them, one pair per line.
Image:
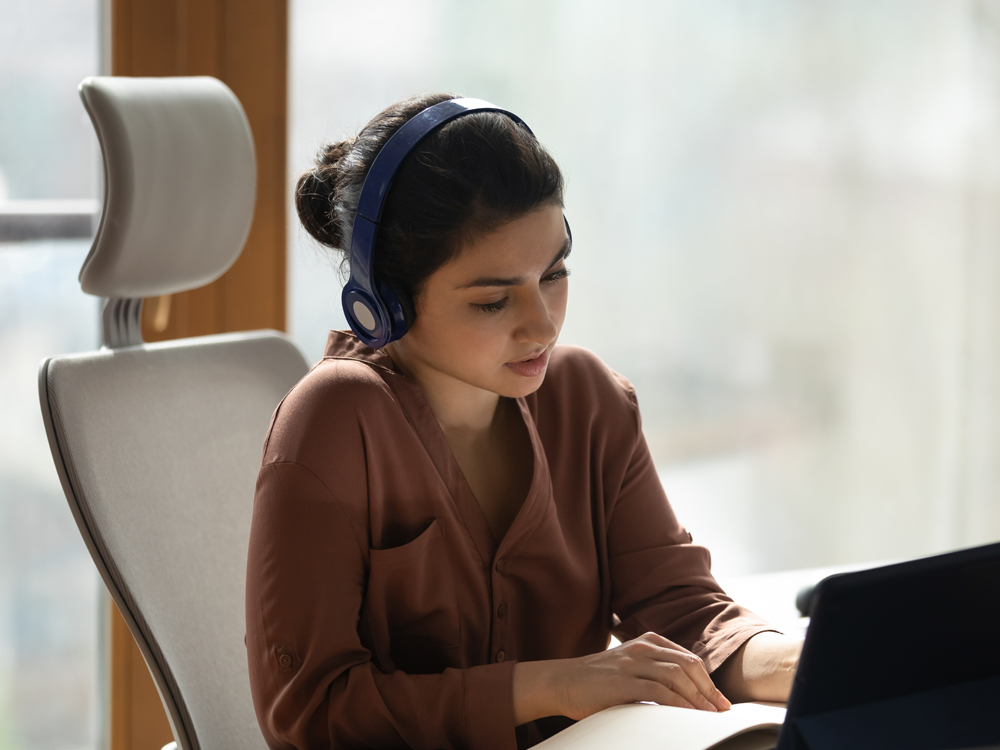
244,44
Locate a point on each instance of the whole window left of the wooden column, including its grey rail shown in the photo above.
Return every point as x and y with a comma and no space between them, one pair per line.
49,588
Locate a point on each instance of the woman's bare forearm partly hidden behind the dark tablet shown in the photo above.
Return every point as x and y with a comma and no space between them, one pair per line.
761,669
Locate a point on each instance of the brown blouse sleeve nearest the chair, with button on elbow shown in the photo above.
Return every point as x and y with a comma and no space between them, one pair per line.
314,682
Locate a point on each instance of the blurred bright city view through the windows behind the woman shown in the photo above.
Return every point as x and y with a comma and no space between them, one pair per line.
785,235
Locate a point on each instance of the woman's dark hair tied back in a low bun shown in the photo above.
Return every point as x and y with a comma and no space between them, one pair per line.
465,179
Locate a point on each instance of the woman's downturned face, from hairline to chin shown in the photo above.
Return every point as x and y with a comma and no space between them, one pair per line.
490,317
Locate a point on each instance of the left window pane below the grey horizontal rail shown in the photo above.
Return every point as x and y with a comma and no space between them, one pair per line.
48,584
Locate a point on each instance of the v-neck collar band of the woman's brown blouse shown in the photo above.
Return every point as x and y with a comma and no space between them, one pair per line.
345,345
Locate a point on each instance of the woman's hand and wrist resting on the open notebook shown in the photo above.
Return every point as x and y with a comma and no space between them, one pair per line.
649,668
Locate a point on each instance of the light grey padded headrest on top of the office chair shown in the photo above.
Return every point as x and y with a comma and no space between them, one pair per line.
180,184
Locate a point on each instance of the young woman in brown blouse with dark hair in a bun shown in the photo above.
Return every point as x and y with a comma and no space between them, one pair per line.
447,530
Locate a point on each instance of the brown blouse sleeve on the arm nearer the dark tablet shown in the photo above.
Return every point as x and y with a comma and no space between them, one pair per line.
660,581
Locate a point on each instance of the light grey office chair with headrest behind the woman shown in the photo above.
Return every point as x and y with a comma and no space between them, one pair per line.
158,445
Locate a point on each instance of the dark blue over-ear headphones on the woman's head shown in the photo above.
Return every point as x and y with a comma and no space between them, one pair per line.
372,308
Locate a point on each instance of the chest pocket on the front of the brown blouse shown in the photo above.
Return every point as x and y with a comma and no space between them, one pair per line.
412,607
